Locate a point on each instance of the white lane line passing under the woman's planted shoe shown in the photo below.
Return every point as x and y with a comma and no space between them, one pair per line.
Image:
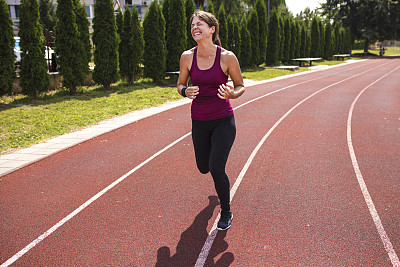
213,232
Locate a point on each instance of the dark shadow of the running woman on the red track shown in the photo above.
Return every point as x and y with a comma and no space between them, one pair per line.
192,241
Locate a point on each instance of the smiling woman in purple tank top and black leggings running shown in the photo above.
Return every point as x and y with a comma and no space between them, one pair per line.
213,124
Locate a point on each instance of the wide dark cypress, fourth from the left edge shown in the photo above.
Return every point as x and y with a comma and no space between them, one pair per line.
105,40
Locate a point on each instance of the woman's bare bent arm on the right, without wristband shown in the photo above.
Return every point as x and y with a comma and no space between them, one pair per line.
226,91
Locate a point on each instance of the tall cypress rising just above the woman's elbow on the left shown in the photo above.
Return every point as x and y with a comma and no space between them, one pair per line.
176,35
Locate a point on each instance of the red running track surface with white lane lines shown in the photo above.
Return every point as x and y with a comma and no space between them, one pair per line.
314,173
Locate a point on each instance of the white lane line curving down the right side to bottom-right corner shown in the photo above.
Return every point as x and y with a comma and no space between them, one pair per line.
367,197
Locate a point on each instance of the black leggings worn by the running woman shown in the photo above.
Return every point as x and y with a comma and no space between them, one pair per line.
212,141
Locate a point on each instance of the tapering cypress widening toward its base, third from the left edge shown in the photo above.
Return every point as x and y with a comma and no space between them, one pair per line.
71,54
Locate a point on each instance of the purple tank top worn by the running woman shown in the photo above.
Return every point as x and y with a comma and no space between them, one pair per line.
207,105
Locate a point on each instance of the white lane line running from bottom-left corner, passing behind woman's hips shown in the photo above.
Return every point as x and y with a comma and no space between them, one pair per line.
116,182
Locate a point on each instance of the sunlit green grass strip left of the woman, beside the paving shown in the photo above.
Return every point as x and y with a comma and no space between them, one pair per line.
25,121
